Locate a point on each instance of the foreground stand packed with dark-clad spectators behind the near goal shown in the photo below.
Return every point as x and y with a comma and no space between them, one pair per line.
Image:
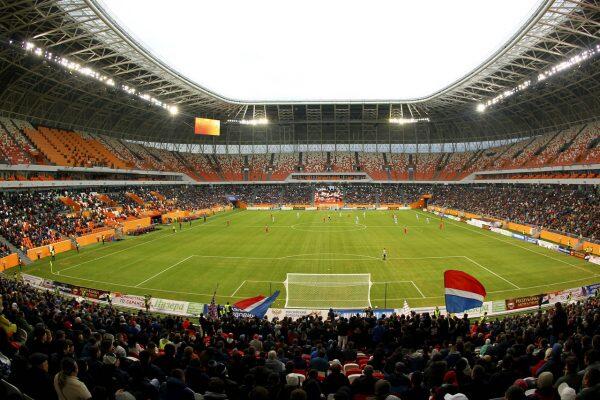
115,354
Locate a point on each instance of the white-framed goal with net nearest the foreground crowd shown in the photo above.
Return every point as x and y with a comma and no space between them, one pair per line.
324,291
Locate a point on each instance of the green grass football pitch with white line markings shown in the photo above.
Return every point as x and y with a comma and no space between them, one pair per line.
245,261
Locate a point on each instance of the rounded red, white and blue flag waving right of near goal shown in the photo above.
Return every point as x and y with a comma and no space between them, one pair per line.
463,292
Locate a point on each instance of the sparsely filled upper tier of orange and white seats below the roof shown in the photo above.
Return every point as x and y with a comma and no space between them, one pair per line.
23,144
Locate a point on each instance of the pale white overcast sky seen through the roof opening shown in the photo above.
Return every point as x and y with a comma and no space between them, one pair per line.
322,50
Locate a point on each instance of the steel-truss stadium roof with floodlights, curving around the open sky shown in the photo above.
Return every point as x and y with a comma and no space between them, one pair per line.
79,30
